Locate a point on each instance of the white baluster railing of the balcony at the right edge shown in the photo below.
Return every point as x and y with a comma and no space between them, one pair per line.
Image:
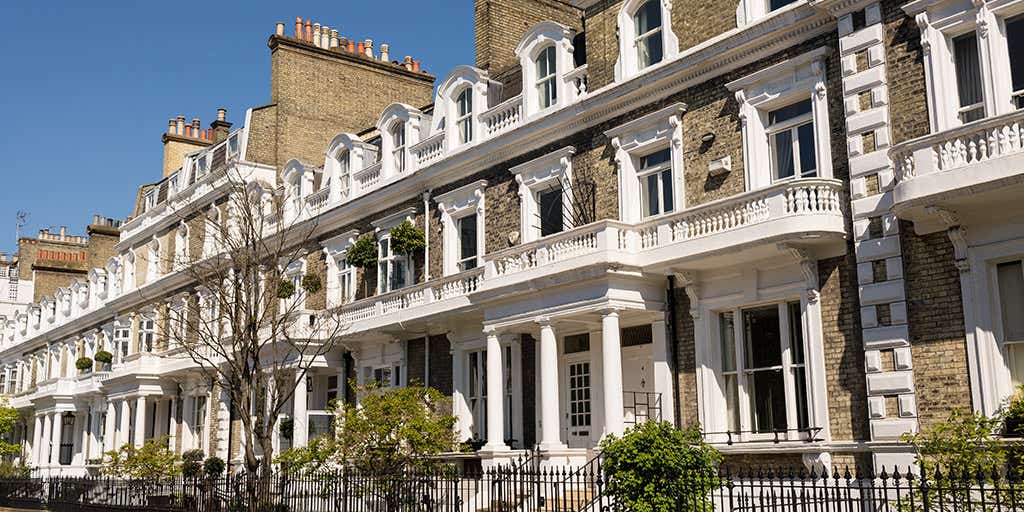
972,144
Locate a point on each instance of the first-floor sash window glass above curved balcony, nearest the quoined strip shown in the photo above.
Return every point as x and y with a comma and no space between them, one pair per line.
791,135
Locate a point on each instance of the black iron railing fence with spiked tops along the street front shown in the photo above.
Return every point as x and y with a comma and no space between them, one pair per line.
528,487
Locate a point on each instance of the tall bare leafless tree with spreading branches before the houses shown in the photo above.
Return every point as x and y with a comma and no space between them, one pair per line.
244,322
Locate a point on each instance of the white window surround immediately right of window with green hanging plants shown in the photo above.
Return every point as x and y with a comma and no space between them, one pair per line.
454,206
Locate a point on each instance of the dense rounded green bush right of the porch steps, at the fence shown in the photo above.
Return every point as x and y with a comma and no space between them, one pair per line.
657,467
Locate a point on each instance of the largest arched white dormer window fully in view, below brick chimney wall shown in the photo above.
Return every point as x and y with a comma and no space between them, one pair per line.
546,58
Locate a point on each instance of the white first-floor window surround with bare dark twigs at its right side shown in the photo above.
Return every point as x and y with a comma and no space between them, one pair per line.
541,175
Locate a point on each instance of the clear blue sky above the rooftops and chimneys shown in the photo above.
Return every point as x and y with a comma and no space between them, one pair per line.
88,88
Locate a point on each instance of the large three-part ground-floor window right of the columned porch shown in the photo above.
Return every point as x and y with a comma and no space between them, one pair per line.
763,369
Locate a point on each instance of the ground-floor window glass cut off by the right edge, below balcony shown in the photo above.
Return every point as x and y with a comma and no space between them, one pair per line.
1010,278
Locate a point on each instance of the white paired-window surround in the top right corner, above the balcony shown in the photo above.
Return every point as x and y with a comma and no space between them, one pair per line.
940,23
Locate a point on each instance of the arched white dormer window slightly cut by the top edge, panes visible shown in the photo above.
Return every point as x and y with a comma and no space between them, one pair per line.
646,36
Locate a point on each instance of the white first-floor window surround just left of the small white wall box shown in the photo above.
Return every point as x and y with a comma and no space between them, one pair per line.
645,137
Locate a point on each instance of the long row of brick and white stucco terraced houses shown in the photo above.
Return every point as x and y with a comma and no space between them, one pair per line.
796,223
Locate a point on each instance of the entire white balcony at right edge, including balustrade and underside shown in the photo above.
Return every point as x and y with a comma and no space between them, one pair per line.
972,172
